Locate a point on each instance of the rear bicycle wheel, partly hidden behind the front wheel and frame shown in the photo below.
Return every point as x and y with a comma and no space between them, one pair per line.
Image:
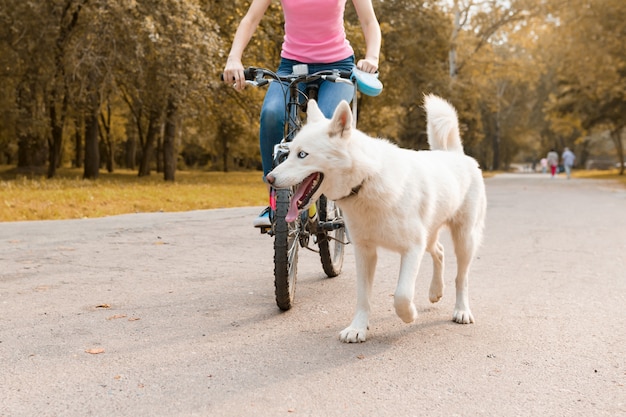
330,243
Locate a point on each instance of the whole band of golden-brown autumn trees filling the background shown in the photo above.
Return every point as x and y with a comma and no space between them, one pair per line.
137,80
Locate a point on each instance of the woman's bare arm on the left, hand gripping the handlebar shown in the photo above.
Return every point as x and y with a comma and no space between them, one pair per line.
233,71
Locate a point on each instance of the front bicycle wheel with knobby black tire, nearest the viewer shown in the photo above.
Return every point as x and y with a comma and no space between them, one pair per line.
285,251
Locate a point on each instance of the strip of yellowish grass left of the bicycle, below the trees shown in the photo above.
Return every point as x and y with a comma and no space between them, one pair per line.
68,196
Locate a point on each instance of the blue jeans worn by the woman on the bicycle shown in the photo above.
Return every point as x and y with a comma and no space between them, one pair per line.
273,111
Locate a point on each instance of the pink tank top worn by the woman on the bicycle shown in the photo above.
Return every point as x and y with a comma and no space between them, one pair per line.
314,31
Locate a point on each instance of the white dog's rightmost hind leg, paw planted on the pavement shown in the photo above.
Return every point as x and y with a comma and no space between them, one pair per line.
465,246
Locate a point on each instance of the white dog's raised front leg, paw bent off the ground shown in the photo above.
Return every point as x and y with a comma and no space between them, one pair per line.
405,290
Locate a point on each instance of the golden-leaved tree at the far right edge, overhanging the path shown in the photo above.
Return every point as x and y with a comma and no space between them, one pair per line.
590,70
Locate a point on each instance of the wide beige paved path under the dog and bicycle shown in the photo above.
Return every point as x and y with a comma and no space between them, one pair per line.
182,306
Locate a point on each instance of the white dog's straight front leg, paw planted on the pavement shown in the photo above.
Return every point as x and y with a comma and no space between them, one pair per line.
366,258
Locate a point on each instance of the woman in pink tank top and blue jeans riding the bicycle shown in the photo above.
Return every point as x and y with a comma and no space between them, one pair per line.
314,35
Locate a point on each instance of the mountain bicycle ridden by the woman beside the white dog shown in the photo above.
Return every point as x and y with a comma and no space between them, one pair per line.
323,221
